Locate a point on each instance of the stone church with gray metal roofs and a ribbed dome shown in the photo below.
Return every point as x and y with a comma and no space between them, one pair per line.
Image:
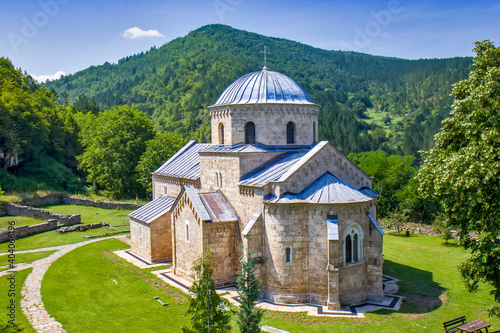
266,184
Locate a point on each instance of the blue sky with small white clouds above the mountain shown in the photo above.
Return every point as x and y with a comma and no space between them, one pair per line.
44,37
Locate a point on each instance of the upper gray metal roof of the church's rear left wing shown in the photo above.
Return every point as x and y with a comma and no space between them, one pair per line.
185,163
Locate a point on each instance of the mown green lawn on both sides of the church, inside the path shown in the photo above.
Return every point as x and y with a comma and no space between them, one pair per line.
427,269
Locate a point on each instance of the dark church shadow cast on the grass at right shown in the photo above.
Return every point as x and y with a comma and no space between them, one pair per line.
421,293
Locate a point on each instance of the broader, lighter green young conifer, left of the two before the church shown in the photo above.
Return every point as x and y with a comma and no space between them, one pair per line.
207,310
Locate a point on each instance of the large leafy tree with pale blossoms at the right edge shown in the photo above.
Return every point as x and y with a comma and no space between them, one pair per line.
462,171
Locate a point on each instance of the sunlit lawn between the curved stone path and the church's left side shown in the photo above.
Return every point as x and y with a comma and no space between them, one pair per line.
104,293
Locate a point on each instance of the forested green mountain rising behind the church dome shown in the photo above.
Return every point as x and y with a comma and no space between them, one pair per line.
368,102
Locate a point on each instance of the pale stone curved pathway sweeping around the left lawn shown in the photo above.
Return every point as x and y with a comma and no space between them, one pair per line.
31,302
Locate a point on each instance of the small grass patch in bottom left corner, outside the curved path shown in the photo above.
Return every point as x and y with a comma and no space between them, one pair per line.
5,299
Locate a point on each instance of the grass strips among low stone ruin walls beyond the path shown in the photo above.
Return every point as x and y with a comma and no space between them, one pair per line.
116,218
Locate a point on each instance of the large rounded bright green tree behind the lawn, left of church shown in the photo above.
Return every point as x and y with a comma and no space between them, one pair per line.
113,143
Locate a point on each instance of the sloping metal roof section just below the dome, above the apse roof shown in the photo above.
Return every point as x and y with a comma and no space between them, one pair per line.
271,171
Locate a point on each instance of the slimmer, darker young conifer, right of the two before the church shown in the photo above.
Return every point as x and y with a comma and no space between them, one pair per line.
249,316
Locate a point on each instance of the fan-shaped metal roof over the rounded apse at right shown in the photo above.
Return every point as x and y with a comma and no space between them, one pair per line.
327,189
